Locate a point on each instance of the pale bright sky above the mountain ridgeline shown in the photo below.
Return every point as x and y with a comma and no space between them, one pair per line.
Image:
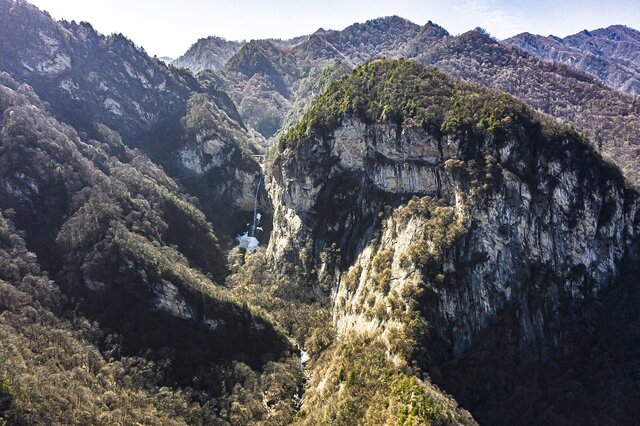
169,27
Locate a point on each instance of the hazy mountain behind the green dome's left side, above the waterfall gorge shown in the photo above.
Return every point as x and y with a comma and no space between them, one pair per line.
272,83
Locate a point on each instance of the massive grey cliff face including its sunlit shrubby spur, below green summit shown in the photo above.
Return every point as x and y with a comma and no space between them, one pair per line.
430,240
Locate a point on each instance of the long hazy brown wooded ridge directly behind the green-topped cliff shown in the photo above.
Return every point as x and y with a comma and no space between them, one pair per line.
273,85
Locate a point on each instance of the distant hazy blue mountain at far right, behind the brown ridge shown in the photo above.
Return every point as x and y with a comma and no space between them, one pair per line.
610,54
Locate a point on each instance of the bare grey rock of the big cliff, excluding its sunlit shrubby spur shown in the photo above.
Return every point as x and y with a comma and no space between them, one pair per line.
544,221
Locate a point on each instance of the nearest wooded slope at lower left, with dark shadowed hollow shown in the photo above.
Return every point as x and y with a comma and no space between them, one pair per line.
112,305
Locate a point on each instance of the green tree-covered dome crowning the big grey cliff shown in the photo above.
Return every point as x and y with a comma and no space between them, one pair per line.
402,92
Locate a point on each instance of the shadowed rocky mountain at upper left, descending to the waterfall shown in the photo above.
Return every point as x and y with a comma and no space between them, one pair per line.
189,127
